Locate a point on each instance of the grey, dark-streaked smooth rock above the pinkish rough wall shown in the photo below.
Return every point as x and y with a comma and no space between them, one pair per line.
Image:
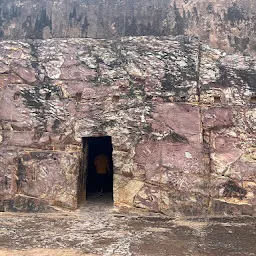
226,24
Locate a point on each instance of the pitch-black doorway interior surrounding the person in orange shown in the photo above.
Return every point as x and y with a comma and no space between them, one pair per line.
93,147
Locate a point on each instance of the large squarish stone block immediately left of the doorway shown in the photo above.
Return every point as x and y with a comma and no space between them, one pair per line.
47,175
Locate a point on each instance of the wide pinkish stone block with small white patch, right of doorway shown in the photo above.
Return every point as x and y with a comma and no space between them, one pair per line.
162,158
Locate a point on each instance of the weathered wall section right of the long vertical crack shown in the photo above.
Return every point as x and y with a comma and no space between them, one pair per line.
228,118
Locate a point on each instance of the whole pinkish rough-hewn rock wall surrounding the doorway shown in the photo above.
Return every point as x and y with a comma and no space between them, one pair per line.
181,116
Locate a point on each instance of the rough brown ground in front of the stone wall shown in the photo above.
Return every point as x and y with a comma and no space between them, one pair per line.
98,229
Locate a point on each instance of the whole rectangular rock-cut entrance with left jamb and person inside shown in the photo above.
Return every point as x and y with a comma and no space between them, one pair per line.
96,170
